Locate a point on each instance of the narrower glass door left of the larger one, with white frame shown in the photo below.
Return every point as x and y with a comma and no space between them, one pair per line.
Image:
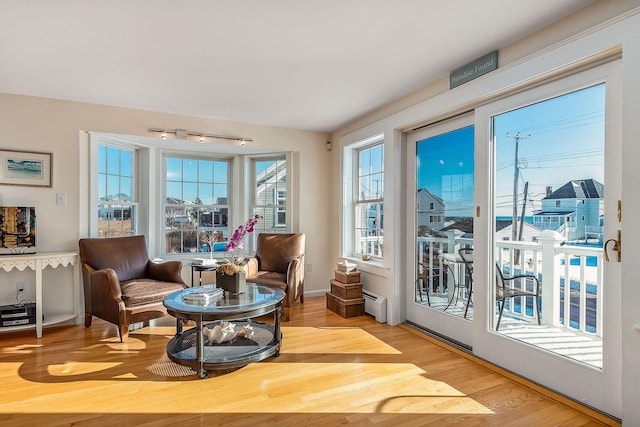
442,204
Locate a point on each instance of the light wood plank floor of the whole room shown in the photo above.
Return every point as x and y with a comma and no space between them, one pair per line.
332,371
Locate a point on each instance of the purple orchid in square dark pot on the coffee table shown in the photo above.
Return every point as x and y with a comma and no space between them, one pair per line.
230,275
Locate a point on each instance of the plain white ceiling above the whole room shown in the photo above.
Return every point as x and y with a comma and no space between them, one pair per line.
304,64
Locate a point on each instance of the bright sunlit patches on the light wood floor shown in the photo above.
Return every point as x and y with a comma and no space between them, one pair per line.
272,386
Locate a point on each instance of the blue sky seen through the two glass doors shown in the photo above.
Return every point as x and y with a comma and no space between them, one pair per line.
562,140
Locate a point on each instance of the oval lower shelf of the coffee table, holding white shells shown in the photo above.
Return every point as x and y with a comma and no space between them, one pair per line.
182,348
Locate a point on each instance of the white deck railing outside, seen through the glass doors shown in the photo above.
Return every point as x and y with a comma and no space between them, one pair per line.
567,273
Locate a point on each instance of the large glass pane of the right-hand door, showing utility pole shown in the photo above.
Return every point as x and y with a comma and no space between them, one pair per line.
549,179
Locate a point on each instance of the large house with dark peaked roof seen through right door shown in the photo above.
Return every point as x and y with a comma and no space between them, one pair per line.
573,210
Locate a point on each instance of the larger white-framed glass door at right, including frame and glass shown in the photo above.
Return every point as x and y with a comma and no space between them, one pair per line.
548,296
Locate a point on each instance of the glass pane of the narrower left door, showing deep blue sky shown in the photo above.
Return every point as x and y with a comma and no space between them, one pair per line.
444,218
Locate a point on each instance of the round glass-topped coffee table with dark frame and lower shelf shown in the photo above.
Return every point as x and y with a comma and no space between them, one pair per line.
192,349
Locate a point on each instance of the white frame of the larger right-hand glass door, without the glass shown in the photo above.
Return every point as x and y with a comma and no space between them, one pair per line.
597,388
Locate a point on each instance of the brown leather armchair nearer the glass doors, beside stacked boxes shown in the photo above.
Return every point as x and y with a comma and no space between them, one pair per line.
279,262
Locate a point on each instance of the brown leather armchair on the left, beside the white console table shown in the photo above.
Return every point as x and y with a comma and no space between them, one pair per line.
121,284
